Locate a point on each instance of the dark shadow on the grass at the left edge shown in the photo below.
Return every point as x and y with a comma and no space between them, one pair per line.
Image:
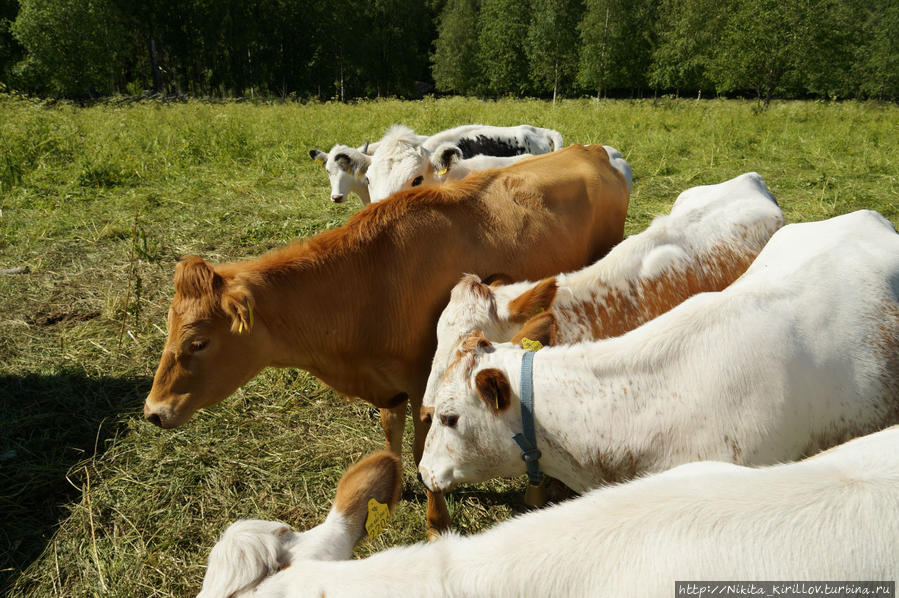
48,424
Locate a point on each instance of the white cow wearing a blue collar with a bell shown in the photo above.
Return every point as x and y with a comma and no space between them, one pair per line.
797,355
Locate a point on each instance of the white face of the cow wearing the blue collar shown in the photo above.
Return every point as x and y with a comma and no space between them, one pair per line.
474,417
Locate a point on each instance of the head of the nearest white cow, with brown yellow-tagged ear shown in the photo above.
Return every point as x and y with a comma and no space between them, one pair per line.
250,550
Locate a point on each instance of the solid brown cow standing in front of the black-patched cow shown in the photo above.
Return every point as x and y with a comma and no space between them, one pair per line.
357,305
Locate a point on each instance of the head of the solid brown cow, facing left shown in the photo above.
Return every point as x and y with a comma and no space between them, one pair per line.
215,344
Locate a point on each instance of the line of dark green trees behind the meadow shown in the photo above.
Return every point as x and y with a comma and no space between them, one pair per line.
403,48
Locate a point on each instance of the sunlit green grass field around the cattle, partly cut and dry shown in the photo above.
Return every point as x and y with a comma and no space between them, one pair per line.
99,203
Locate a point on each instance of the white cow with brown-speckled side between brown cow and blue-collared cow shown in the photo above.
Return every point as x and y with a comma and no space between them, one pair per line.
708,240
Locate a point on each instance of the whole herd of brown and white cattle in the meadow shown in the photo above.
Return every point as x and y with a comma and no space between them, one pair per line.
704,363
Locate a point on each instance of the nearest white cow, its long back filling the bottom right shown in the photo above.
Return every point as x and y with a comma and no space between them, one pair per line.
829,517
